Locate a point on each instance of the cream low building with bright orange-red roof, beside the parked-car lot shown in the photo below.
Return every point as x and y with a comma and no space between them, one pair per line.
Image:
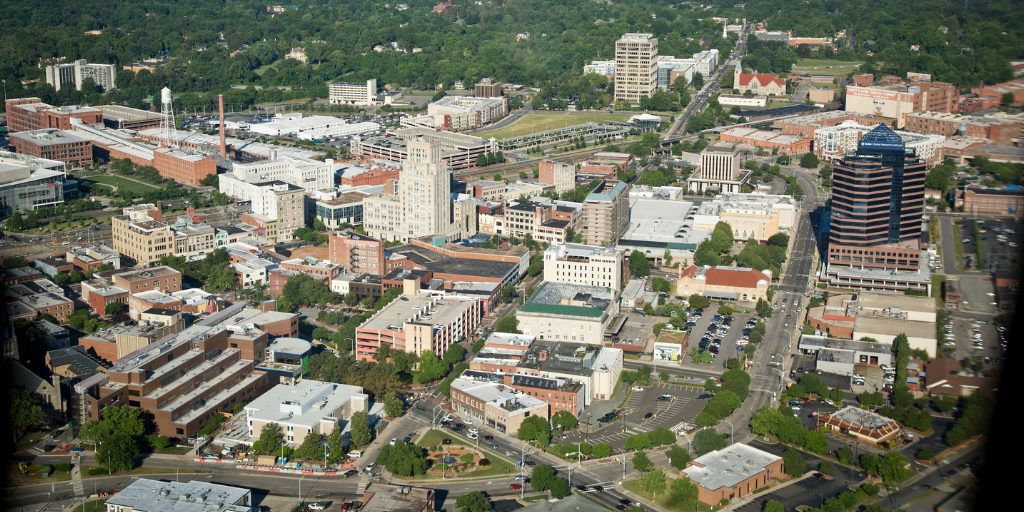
724,283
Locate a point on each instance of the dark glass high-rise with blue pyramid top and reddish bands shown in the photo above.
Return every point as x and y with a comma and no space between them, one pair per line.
878,201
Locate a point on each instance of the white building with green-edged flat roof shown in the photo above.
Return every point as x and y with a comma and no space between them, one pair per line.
570,313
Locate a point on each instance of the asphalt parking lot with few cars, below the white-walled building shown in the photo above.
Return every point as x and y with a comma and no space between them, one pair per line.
687,404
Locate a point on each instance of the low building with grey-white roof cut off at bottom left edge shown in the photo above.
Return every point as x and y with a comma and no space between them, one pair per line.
145,495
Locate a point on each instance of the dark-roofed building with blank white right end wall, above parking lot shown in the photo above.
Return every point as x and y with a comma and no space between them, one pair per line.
594,367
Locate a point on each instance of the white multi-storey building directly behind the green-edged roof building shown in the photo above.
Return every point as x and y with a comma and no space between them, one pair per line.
580,265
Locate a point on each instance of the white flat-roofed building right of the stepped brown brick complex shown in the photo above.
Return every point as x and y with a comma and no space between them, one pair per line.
307,408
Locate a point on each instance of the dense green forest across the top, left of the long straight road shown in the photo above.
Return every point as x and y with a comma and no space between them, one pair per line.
467,42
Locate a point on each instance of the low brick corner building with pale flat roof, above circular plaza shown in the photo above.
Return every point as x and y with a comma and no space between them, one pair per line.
497,406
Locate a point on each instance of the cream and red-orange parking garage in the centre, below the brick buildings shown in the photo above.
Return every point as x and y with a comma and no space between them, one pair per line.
423,321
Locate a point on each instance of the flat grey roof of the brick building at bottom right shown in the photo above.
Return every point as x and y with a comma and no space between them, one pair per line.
730,466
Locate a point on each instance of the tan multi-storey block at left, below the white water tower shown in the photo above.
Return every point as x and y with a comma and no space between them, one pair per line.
142,236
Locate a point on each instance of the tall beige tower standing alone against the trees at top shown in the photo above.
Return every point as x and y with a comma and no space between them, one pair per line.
636,67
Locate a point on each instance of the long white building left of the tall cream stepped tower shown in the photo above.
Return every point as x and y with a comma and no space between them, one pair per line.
307,174
